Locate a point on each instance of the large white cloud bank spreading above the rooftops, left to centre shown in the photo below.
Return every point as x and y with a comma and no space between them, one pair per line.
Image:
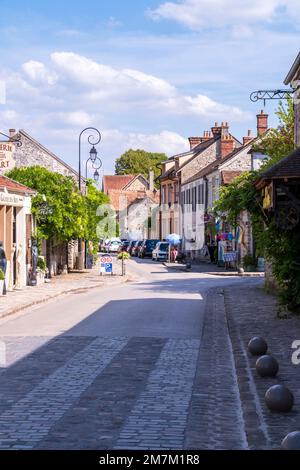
55,100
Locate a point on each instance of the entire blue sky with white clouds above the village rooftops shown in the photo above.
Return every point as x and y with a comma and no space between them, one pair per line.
148,74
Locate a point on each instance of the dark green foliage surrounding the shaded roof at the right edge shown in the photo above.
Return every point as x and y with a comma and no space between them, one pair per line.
281,247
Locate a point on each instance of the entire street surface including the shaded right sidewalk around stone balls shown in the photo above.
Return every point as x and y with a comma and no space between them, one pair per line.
146,365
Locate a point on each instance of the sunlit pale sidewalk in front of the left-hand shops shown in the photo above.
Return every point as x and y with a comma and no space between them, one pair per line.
16,301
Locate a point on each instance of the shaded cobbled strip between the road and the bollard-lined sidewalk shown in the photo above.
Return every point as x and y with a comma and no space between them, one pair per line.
215,413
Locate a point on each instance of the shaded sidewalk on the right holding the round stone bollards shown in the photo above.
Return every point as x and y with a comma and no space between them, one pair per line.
252,312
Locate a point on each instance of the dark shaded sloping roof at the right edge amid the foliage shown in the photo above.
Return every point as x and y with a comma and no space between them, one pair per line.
288,167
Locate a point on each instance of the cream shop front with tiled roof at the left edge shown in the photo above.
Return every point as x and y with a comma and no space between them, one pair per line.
15,231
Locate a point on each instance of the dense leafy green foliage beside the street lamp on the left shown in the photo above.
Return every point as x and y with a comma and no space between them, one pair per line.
62,212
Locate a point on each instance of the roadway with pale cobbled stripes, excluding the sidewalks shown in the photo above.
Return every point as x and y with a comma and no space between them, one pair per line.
112,368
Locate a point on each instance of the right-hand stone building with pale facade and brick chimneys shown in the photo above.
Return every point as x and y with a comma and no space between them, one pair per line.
201,190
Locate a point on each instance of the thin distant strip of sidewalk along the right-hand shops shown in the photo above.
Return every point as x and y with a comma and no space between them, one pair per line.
210,269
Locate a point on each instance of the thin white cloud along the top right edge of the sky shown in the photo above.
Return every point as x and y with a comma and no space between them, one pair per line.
197,14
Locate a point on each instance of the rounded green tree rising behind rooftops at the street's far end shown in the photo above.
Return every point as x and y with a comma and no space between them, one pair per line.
139,161
